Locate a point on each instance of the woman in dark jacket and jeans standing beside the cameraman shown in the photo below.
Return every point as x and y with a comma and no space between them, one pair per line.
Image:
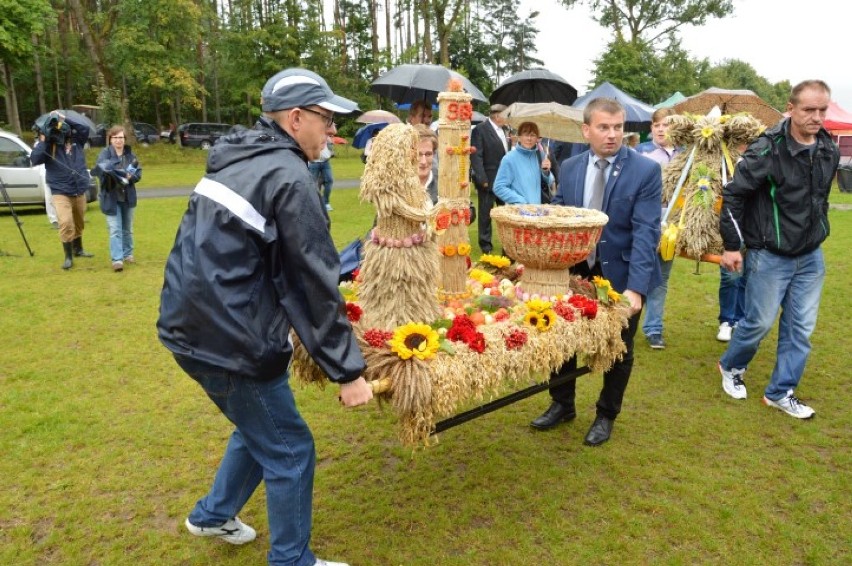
119,171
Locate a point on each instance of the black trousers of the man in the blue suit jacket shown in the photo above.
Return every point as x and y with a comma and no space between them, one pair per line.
615,379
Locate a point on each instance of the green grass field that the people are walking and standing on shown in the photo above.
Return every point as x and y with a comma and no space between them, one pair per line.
105,445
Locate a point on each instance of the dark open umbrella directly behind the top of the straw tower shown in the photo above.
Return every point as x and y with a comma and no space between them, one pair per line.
410,83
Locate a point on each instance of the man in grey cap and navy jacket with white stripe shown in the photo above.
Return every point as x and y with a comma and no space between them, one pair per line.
252,259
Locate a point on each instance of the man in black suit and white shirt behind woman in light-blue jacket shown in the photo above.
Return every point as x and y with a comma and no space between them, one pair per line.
492,143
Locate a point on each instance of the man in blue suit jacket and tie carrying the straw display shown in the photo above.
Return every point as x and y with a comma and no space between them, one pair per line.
627,187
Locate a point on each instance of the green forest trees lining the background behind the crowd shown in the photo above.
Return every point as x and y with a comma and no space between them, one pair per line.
172,61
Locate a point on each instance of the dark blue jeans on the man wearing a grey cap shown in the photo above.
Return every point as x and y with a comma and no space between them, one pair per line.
271,442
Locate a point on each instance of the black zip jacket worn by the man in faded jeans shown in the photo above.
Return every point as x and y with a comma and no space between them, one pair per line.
778,198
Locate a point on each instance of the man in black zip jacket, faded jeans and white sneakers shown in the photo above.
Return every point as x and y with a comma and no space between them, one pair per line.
775,213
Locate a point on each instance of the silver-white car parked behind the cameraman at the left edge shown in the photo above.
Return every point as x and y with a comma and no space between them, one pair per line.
25,183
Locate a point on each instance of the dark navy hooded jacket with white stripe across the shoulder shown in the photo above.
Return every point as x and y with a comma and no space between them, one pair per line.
253,257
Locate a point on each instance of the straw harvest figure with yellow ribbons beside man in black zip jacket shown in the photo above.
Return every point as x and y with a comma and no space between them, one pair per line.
717,143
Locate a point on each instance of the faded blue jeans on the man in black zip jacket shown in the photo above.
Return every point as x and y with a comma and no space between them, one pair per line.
793,284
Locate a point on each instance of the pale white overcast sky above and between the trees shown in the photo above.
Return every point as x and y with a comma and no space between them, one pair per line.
782,39
